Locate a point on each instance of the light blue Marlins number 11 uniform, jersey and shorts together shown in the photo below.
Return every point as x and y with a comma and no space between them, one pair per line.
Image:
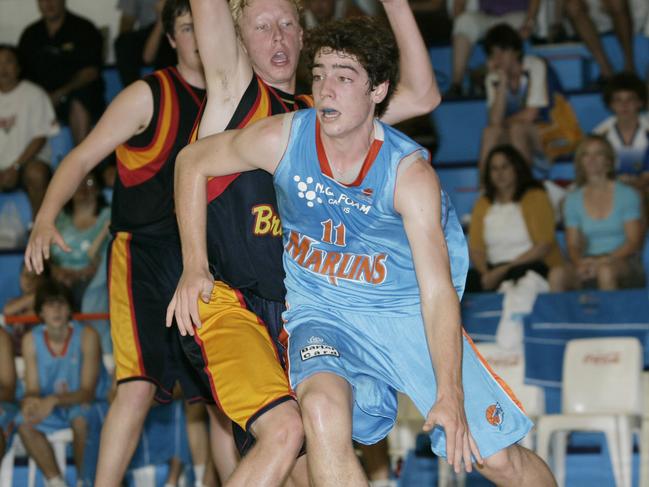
353,304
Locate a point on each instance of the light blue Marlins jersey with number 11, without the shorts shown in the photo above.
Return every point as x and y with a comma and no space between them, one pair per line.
345,244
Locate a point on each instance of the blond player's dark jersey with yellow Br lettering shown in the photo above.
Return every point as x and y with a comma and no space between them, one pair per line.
244,232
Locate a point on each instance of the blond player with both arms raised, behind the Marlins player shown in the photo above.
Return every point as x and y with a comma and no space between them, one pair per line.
251,77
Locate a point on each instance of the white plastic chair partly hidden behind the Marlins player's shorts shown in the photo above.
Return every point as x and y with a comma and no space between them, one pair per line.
510,366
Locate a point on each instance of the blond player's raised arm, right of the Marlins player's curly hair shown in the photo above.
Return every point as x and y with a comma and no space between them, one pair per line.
417,92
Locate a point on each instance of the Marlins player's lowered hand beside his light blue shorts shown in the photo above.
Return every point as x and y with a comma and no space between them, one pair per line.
448,413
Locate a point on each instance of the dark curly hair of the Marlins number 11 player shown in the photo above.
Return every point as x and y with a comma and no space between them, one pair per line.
369,40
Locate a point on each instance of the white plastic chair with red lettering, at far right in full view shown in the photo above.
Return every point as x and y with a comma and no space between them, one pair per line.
601,391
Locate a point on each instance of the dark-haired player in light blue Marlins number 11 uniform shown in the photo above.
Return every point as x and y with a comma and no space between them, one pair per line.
375,261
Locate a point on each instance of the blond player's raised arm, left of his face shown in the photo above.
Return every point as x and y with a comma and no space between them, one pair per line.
226,65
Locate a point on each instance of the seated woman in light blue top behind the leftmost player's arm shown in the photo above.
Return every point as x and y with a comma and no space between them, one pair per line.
83,224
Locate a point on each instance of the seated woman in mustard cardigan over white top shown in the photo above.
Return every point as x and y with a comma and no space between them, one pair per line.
512,226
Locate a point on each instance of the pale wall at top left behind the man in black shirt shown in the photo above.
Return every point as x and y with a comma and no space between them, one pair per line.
15,15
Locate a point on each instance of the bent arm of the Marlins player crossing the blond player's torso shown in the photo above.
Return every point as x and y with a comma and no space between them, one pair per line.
258,146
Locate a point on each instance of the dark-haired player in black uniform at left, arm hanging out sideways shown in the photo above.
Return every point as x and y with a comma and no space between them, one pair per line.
147,124
